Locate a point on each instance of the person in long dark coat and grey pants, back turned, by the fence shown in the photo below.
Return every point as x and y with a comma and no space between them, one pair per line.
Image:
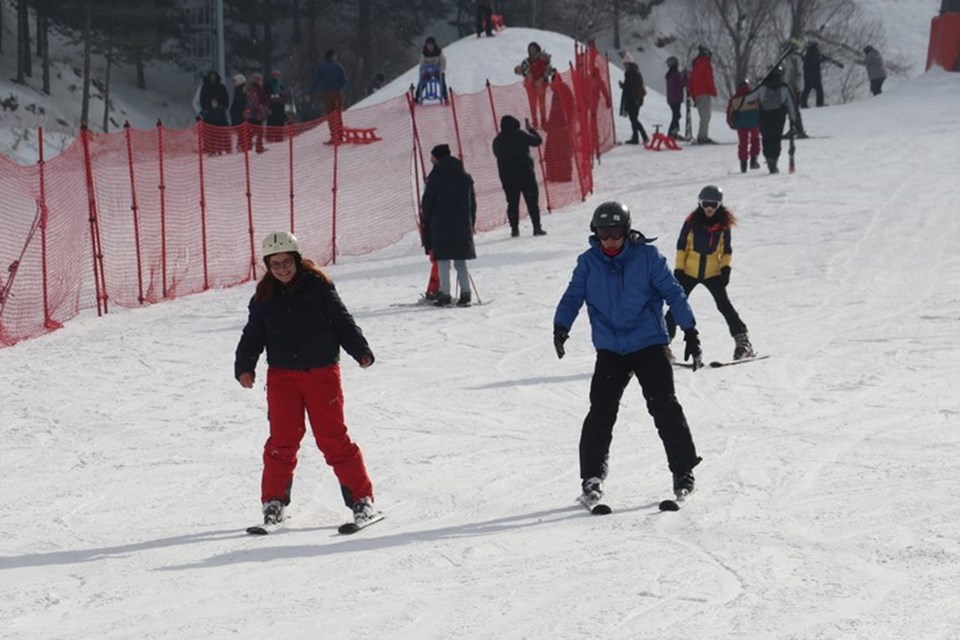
449,209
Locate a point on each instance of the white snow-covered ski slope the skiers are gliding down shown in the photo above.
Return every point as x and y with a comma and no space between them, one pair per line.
824,508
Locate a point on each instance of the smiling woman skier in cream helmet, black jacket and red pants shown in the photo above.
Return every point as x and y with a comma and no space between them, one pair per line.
297,316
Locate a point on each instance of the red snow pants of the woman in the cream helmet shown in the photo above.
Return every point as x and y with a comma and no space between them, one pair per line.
318,394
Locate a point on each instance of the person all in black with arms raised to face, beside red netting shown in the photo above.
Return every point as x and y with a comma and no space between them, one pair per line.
517,177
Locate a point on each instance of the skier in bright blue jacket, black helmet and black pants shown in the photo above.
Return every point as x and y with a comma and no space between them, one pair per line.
624,281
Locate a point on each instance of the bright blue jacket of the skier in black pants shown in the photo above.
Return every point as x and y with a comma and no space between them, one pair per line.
624,296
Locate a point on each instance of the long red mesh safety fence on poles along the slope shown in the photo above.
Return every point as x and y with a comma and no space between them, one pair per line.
140,216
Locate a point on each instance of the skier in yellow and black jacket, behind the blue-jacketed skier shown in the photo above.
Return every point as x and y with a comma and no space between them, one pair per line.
704,256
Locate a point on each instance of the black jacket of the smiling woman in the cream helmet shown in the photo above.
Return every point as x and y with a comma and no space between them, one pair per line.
302,326
